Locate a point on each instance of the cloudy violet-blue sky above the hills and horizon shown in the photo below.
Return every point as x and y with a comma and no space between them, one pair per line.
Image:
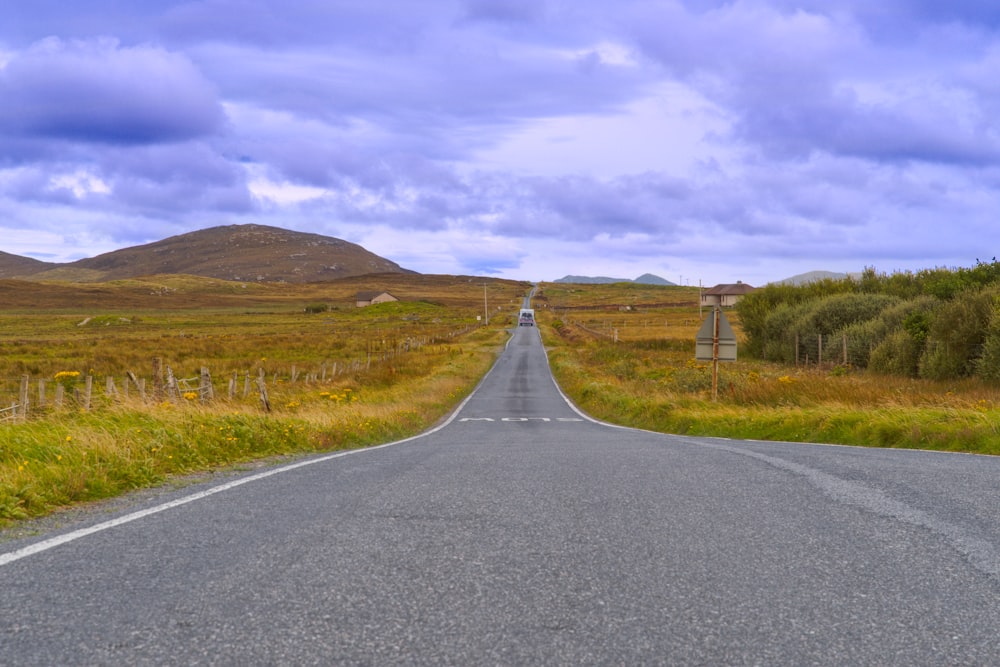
702,141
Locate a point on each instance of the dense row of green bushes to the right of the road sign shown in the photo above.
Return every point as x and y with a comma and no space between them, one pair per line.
940,324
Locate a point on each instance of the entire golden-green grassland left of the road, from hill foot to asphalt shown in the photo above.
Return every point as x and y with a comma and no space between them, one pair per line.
346,377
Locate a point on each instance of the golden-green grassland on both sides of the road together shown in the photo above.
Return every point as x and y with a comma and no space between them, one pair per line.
337,376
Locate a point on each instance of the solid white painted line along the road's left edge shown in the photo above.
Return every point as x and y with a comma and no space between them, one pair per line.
45,545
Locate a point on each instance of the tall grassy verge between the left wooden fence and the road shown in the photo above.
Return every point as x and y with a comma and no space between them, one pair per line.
79,456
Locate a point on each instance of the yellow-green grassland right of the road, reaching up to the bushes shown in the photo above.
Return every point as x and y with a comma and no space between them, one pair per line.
631,362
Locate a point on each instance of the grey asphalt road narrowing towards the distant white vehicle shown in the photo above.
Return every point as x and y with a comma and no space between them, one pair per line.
523,533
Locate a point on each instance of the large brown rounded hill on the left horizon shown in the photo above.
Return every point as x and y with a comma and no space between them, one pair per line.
247,253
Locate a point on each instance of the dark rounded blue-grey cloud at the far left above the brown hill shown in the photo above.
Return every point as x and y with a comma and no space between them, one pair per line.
99,92
